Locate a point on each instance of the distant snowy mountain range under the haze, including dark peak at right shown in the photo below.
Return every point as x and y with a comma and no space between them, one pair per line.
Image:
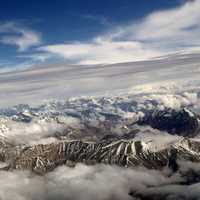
104,116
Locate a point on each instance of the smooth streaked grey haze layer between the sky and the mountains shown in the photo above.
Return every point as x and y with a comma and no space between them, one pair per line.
170,74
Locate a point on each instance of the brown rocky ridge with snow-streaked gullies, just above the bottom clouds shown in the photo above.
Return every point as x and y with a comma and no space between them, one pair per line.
128,153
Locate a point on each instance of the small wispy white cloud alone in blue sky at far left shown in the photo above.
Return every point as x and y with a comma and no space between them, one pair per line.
14,34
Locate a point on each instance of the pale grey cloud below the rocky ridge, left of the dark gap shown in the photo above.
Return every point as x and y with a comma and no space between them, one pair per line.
82,182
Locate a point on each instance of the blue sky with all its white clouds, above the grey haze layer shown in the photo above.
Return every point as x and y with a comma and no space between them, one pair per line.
95,32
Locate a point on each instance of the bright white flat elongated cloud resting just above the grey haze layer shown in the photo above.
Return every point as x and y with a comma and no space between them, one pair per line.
101,51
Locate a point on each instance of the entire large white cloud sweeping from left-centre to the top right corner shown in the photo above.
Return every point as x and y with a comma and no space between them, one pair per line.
159,33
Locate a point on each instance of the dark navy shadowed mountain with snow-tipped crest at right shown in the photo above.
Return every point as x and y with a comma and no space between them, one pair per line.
181,122
